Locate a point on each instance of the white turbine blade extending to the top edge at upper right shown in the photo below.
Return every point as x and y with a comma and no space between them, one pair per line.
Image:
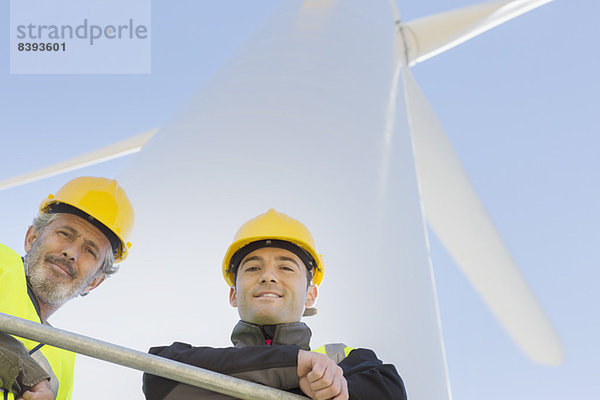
432,35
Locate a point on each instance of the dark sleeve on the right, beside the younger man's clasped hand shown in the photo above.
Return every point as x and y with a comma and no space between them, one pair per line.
370,379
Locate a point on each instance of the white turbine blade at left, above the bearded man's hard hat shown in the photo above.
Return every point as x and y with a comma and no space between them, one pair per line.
107,153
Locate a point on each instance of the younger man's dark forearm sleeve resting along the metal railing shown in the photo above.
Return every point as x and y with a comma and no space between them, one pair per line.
274,366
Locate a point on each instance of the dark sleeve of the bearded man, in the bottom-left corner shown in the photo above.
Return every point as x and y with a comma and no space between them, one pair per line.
18,370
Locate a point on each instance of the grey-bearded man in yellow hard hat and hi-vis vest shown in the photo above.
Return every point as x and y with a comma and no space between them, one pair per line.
72,246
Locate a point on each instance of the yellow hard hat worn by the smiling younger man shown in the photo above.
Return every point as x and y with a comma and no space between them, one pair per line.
273,229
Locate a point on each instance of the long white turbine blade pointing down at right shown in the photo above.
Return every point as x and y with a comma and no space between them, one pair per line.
459,219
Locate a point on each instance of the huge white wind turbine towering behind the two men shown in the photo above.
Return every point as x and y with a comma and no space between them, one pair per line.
319,116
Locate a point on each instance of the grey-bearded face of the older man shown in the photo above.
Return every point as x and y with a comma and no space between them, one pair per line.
64,258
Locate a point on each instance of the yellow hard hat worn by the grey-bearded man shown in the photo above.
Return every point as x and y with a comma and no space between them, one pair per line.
101,199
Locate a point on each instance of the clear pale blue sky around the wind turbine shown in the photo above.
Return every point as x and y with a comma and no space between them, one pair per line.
518,104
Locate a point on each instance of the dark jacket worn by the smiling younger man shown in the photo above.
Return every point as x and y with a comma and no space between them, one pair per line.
269,355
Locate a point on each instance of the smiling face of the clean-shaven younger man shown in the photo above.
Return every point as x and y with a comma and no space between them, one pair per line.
271,287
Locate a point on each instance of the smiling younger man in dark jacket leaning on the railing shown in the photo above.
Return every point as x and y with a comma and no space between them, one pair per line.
273,271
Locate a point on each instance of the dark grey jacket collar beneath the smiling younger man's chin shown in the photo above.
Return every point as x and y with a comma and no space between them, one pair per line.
247,334
